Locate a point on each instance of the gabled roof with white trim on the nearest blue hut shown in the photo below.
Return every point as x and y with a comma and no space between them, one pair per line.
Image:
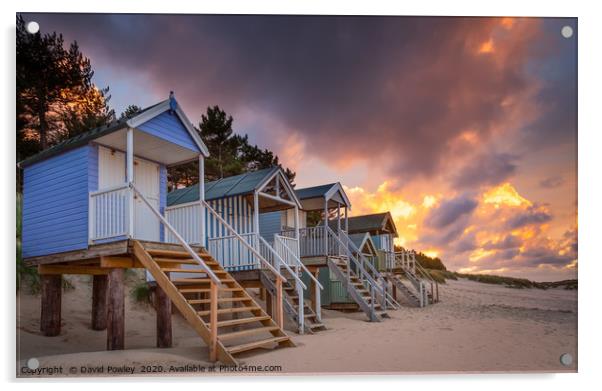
136,120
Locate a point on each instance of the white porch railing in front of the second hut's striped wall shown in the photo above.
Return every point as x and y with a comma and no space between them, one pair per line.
232,254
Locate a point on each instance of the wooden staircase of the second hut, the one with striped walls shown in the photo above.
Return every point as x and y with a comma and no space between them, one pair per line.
311,323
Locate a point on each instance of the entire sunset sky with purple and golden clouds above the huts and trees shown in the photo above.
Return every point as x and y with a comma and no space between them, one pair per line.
465,129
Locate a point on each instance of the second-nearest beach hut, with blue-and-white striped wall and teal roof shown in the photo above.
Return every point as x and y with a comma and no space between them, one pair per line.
242,201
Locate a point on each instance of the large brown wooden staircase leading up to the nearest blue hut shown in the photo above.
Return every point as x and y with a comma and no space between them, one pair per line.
241,324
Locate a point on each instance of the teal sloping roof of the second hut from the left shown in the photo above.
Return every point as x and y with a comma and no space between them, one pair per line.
242,184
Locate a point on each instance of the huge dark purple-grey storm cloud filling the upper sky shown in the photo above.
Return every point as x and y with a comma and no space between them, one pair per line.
398,88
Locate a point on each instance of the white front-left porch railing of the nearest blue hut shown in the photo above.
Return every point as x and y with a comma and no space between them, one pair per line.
109,210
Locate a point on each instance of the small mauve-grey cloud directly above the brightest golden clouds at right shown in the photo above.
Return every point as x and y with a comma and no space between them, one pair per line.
486,169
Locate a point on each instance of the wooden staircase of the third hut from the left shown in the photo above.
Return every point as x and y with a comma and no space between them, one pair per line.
339,265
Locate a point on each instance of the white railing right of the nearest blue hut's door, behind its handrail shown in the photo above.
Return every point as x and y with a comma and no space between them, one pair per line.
186,219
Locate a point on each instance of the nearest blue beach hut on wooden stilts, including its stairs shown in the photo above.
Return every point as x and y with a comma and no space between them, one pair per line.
95,204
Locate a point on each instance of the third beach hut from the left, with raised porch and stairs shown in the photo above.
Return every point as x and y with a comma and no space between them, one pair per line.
327,250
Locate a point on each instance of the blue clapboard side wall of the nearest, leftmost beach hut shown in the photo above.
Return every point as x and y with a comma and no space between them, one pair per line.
55,202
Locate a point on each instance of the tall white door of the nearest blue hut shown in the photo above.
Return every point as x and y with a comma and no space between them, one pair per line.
146,179
